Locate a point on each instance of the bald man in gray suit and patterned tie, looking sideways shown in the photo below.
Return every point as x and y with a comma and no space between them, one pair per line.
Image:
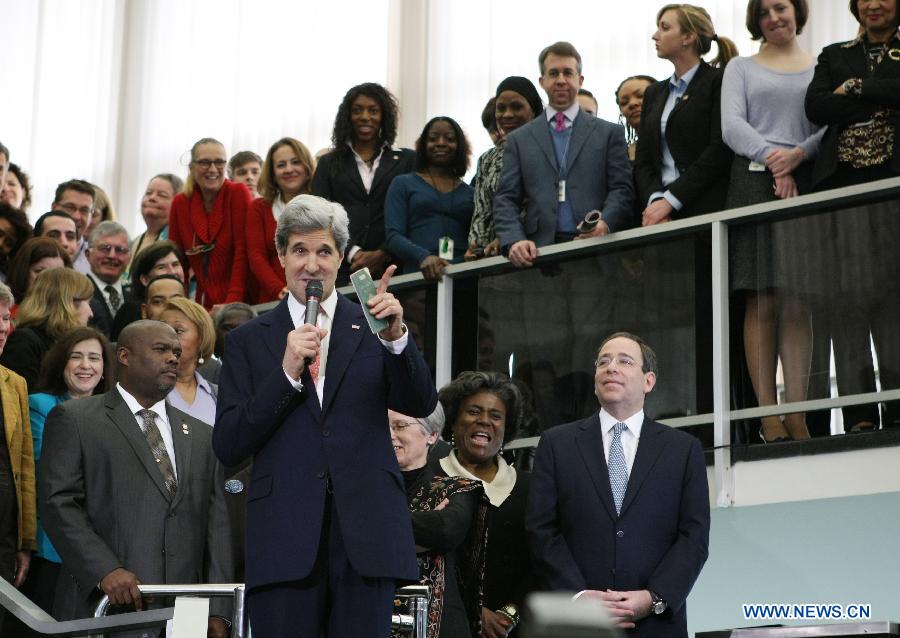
130,491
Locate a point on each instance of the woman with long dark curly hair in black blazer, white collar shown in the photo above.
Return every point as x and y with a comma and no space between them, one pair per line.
364,130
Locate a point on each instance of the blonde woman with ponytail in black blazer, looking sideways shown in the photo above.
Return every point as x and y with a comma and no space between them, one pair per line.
698,181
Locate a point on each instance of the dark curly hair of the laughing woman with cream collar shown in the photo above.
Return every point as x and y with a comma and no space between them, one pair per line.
470,383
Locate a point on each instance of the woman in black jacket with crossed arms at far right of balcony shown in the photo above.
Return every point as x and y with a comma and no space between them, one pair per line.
855,91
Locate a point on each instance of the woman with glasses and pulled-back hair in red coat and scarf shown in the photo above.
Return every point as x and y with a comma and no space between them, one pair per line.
208,219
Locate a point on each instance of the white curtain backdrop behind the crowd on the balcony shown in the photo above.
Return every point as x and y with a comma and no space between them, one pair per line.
115,91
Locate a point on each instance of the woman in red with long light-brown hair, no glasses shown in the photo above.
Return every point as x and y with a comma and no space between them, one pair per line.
287,172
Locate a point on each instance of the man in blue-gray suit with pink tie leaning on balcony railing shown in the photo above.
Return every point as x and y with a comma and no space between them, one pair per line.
560,166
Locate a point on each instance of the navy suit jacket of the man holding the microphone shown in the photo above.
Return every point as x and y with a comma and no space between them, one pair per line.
297,444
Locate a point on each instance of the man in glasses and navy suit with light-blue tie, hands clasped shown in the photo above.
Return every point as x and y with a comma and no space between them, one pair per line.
619,504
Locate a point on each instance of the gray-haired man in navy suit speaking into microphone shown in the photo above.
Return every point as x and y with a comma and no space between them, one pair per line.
305,390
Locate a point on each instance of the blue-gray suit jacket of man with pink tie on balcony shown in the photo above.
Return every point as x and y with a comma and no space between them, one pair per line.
598,177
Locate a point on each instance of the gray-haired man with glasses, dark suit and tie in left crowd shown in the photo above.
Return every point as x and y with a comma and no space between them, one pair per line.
108,253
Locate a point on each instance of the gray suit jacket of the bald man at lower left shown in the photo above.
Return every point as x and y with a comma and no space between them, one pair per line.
104,505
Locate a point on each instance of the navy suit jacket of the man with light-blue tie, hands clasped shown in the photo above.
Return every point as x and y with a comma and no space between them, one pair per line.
659,541
